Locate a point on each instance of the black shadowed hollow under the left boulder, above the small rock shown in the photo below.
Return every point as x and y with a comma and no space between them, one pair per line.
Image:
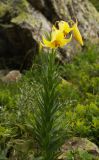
17,47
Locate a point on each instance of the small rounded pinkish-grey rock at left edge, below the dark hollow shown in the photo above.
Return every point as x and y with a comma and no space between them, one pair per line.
12,76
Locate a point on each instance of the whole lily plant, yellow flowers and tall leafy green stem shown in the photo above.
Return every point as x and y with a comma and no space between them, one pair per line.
48,131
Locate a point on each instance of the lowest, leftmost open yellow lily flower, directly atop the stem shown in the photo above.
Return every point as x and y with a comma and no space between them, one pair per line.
57,39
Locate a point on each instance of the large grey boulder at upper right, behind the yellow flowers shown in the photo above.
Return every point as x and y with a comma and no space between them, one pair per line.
81,9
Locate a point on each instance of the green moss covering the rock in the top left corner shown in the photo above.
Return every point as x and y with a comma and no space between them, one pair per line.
18,10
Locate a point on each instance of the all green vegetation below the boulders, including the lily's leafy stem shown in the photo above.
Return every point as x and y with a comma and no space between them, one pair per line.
69,94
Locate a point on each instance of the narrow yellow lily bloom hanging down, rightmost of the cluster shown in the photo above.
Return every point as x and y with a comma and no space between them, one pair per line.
76,34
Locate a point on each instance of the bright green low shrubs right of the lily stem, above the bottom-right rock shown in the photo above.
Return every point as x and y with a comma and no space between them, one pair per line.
82,94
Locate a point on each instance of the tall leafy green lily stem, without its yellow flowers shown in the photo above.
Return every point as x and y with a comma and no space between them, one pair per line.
48,131
